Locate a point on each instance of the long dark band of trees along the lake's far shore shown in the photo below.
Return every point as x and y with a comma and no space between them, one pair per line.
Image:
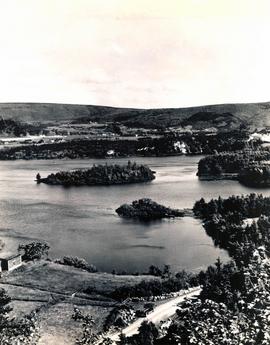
198,143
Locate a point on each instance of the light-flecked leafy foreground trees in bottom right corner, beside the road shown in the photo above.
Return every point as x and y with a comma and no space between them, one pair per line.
233,307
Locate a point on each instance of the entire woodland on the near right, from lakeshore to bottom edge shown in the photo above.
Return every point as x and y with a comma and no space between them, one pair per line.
233,307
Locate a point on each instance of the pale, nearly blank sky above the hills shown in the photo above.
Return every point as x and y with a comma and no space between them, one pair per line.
135,53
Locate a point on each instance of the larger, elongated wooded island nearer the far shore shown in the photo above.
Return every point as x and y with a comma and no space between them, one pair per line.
101,175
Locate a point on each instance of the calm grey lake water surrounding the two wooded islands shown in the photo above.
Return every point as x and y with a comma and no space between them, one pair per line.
81,220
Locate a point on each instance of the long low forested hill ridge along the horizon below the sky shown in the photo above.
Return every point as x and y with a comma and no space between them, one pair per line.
224,116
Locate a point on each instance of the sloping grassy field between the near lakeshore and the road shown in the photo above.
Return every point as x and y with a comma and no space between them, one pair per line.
54,290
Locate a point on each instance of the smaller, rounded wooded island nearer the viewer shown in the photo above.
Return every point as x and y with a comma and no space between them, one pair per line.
146,209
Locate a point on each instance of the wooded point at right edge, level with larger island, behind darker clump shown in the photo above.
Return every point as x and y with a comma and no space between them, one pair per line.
231,162
